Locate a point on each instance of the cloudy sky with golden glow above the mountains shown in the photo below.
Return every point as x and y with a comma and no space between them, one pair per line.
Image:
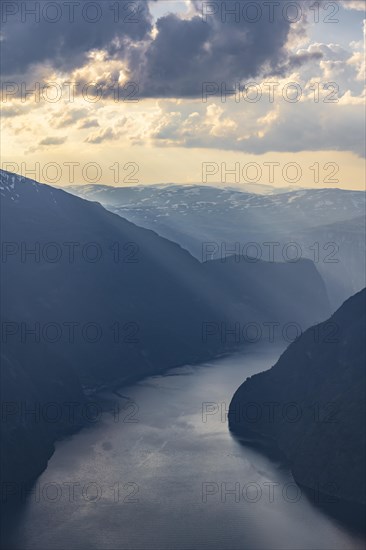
190,91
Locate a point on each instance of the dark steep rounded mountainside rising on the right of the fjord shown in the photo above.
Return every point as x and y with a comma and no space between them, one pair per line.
311,405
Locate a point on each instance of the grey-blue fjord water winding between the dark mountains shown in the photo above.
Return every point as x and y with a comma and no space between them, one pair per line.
172,470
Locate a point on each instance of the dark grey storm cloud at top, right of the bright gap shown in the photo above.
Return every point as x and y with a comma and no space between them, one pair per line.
226,43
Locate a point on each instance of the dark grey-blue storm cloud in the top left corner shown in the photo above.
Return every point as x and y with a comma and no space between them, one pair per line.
62,33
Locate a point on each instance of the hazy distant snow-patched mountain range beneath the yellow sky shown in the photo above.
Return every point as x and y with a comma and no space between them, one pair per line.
319,221
